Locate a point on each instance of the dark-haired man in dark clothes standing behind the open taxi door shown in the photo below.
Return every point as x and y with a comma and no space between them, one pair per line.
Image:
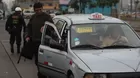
34,26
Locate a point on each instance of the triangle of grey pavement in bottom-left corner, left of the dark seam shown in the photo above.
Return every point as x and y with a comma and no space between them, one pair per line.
7,68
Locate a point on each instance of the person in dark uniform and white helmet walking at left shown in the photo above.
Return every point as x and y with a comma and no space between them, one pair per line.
14,25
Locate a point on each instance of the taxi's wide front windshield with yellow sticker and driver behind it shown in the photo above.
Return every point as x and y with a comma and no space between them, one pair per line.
103,36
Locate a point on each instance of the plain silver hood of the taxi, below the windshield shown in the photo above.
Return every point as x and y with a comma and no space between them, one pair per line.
122,60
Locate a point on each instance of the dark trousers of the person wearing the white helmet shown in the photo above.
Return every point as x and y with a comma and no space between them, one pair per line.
15,36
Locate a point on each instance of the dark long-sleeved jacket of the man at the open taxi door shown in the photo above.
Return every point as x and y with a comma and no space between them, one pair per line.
35,24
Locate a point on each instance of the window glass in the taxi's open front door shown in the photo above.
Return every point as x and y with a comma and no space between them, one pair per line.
49,31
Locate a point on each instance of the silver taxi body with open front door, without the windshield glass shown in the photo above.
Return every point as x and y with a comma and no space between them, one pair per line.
83,62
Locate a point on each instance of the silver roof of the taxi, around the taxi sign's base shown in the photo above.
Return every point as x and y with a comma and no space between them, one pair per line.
84,18
